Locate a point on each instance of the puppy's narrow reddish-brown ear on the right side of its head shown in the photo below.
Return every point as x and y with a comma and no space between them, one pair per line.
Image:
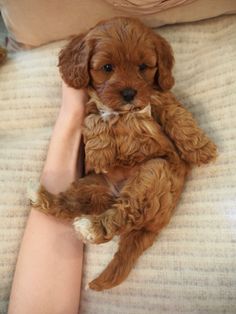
165,58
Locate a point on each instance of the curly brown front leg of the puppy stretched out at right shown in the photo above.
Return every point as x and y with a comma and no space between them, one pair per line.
193,144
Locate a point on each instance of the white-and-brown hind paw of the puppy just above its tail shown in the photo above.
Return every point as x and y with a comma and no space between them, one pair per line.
91,229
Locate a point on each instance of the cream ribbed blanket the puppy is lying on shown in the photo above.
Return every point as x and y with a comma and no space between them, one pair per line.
192,266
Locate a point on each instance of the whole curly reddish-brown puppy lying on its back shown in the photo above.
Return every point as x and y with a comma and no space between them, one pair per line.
139,142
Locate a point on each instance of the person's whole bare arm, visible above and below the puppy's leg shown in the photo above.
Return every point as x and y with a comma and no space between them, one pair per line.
49,268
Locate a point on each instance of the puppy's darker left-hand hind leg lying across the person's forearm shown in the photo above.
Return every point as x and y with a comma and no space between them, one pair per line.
88,195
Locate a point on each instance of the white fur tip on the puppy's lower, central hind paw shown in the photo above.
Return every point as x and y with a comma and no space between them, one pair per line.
83,228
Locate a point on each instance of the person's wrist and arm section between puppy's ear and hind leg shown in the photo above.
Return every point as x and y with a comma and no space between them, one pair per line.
59,172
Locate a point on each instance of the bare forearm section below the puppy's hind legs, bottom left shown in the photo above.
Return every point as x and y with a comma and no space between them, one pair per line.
48,274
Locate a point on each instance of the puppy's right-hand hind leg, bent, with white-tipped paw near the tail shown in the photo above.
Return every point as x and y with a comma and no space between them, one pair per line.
149,190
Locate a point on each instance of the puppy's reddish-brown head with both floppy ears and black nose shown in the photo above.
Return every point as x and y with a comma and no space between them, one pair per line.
121,59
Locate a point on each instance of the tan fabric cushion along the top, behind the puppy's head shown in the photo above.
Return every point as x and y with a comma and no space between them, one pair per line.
33,22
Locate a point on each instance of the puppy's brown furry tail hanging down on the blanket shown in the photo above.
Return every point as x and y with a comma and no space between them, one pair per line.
131,246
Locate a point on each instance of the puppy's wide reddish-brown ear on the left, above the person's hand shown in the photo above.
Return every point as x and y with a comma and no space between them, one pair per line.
74,62
